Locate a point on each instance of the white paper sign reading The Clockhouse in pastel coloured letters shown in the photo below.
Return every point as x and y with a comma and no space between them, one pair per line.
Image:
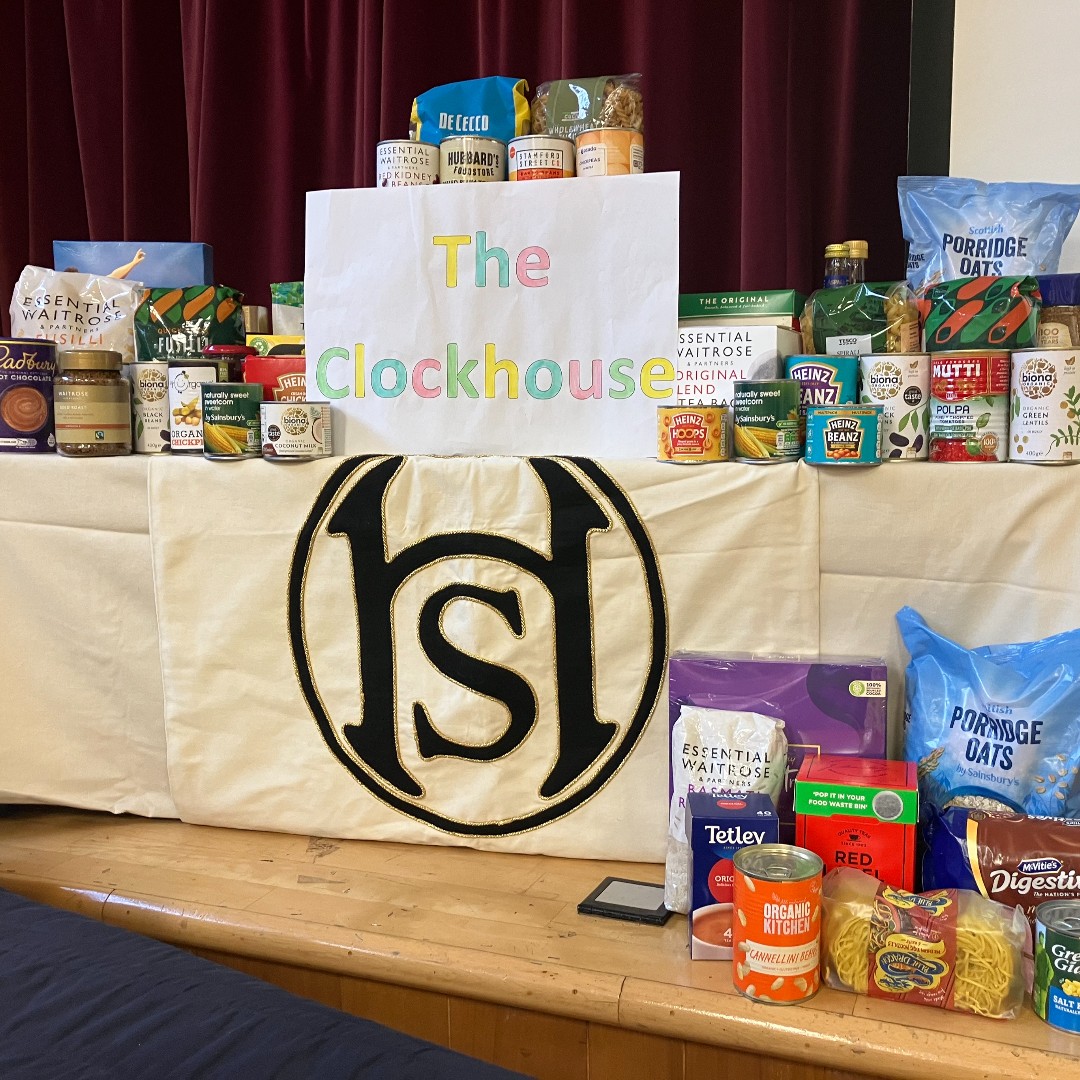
529,319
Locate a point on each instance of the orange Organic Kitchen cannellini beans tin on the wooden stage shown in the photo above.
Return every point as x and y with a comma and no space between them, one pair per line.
776,935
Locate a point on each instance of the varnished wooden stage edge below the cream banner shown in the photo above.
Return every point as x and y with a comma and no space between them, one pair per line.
487,954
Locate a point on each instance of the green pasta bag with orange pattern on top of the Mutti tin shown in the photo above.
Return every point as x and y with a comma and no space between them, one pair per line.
983,314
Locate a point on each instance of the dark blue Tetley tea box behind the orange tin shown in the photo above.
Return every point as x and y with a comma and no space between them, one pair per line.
718,826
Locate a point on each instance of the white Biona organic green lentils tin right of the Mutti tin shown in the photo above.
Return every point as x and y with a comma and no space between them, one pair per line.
1045,407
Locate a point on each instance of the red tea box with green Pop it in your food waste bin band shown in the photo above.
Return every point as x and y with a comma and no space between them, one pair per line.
860,813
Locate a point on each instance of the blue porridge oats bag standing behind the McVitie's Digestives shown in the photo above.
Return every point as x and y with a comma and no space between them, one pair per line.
993,728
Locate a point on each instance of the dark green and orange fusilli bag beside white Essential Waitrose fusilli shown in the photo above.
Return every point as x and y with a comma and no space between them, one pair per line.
182,322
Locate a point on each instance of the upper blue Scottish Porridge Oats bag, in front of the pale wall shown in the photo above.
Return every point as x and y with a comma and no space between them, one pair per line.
961,228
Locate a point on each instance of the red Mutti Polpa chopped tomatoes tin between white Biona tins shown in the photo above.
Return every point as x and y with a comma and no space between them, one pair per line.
969,407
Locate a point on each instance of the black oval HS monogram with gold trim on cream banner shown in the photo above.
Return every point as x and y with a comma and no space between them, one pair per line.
483,657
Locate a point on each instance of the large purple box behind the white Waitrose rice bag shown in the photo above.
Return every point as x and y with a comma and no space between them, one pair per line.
829,705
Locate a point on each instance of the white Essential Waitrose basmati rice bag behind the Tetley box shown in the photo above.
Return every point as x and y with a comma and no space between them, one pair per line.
717,750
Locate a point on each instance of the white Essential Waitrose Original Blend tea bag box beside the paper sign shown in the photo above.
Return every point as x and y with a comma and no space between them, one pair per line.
715,354
